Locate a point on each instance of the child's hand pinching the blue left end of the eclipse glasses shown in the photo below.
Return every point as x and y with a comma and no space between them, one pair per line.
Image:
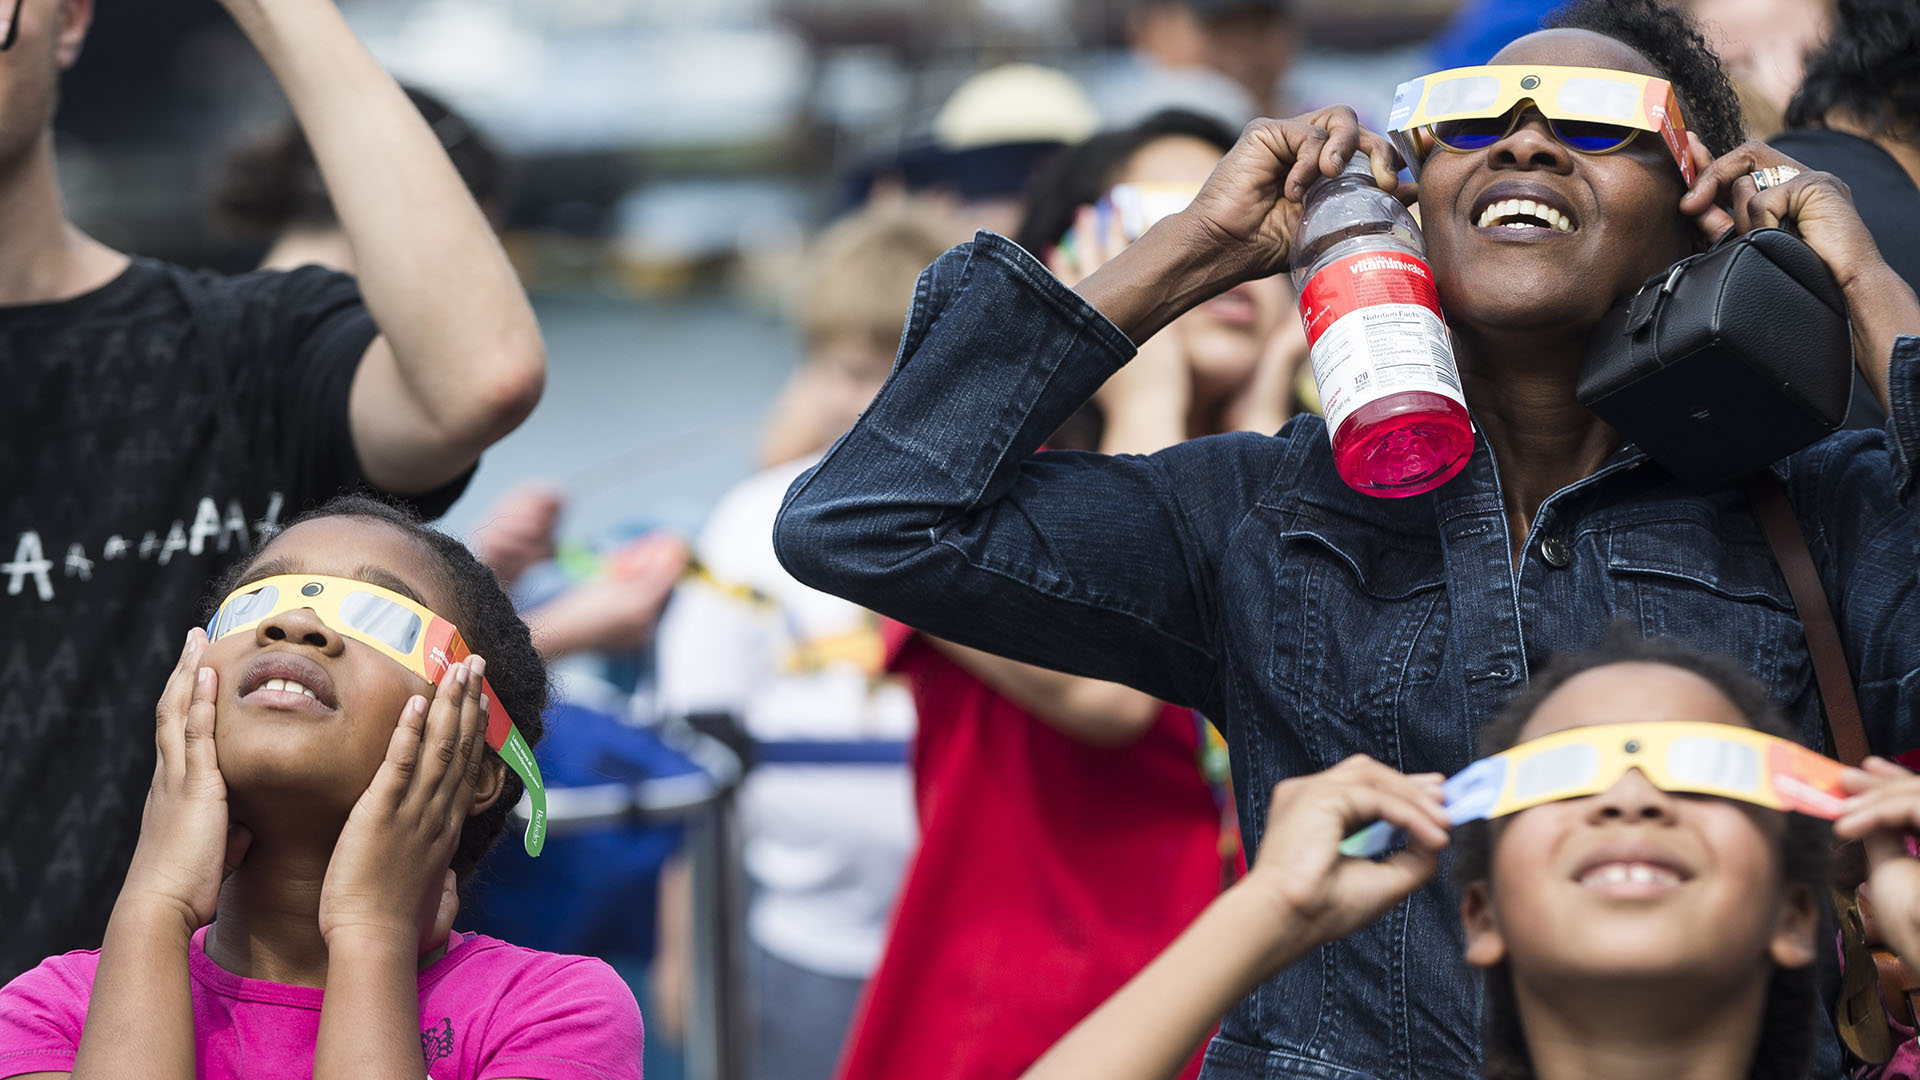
1301,868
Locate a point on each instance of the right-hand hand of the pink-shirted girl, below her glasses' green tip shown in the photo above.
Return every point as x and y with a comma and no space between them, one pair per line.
389,877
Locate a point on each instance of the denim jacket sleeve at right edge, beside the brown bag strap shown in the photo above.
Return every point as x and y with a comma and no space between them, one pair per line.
1861,514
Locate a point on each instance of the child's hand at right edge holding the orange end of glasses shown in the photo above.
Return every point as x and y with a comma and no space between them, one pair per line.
1883,814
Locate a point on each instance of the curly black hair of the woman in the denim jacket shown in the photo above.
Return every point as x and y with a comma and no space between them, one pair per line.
1673,45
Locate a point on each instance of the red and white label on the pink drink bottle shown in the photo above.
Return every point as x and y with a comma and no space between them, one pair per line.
1374,324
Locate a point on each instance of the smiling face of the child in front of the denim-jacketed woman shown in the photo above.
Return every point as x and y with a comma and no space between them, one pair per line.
1637,883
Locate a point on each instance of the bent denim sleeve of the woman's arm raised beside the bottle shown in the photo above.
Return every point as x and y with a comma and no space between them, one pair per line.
940,510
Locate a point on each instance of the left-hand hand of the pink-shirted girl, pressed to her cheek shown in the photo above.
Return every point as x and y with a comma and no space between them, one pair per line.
187,845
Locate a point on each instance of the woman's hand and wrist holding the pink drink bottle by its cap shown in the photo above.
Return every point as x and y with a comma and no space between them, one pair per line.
1243,222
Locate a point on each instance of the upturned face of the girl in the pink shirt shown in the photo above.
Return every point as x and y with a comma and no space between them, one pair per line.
318,752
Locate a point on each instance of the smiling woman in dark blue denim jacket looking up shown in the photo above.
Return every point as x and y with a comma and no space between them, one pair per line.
1243,577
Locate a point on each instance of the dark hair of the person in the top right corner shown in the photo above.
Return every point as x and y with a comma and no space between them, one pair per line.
1871,68
